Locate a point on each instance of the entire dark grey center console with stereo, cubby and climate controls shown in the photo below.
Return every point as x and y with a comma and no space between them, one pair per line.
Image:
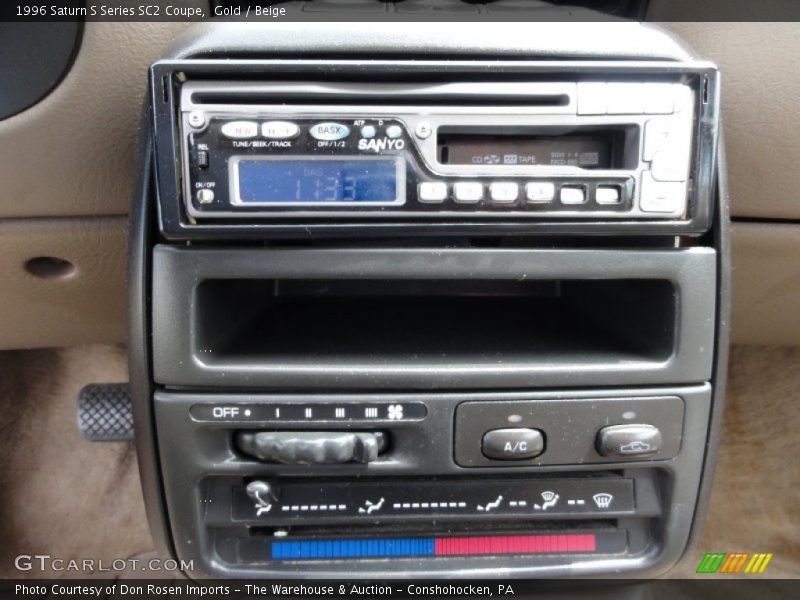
405,311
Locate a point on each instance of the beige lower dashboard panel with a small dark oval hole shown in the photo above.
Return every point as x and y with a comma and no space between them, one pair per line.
62,307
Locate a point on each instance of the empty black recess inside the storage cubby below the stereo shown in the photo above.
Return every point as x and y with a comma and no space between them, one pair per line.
349,323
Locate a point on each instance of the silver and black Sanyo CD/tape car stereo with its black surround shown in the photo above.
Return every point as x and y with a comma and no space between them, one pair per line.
600,153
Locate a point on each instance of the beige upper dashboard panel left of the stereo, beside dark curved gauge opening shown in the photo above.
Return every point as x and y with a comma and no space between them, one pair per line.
73,153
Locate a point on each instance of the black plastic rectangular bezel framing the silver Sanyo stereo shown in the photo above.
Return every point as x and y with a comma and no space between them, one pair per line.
166,78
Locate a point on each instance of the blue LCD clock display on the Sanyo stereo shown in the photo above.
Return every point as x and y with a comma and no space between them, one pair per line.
321,181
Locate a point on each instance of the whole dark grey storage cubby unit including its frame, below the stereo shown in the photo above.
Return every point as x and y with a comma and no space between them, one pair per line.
404,319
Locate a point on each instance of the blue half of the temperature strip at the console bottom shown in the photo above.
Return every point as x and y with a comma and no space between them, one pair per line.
374,548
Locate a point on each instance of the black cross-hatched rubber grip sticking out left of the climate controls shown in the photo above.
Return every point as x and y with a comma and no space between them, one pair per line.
104,412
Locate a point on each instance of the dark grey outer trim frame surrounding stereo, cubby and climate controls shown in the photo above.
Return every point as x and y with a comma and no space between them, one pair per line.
652,52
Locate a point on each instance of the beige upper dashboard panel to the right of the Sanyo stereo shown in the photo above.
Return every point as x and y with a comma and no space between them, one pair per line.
760,66
